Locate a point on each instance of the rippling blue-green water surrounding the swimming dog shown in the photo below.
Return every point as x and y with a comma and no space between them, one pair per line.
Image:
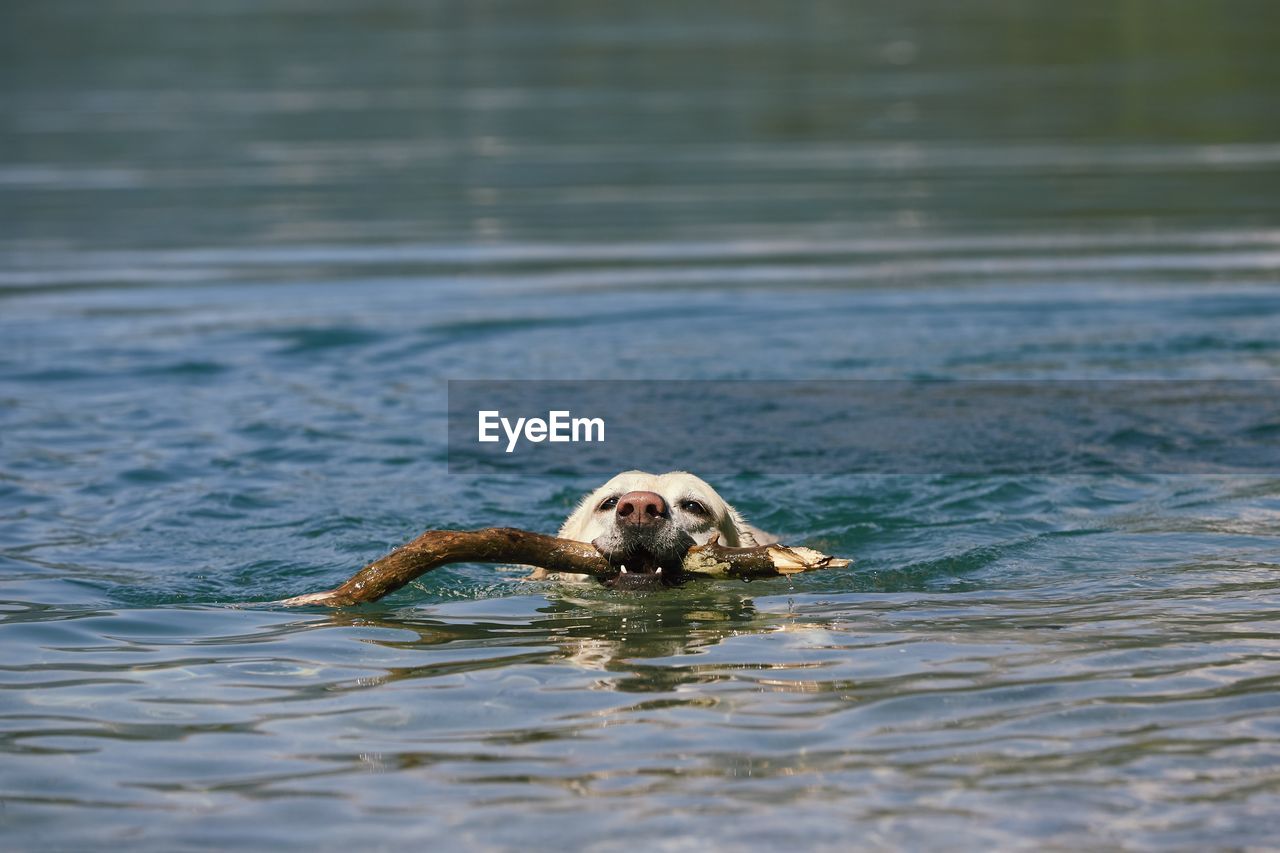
244,247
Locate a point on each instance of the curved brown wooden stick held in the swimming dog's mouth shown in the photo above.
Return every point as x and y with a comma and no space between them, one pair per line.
437,549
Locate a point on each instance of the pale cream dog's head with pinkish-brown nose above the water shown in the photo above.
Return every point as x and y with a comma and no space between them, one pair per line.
646,523
